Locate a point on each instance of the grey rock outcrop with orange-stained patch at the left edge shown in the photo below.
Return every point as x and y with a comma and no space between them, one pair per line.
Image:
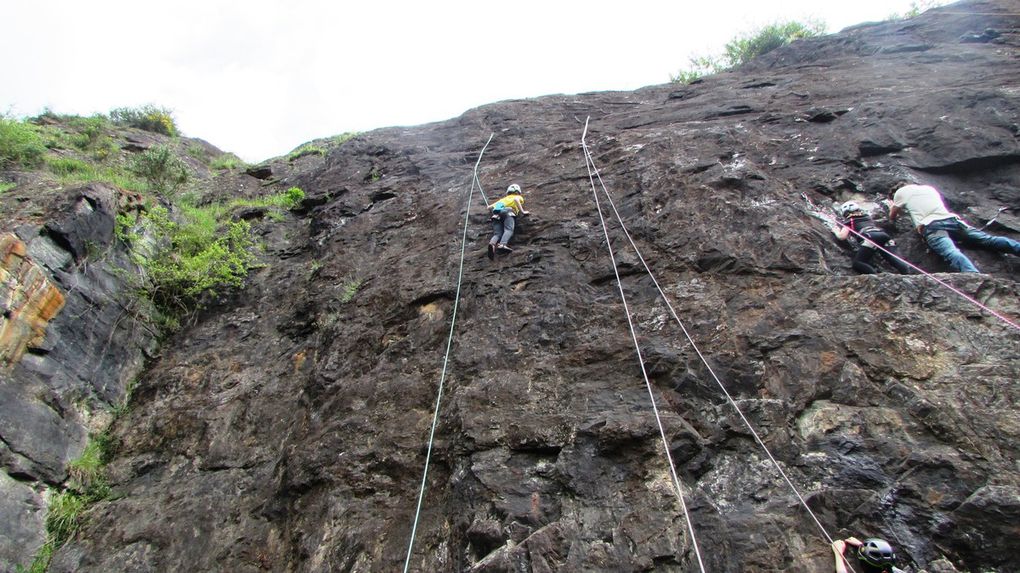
72,340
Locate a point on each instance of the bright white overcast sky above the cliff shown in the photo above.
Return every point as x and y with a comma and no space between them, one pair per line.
260,78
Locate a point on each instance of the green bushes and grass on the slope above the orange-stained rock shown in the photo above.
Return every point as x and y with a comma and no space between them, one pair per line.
189,249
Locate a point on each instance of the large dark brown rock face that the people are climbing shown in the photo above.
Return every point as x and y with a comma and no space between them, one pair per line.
287,430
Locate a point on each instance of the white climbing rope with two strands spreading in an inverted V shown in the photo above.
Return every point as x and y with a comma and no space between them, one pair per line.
673,311
